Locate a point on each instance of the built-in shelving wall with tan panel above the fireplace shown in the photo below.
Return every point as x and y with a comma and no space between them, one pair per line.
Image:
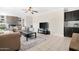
7,21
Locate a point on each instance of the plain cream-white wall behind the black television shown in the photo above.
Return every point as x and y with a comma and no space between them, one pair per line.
55,19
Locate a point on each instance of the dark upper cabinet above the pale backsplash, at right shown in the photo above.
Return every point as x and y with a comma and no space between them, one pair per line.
71,16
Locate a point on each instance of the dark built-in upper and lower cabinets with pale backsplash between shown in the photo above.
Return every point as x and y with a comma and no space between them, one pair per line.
69,17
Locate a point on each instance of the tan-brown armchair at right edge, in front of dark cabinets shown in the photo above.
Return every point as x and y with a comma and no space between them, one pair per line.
74,44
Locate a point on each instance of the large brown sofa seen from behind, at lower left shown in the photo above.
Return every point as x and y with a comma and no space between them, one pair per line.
10,41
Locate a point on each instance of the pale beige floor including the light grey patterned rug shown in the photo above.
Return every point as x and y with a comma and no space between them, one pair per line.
45,43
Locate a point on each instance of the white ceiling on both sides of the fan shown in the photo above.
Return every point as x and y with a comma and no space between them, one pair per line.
19,11
